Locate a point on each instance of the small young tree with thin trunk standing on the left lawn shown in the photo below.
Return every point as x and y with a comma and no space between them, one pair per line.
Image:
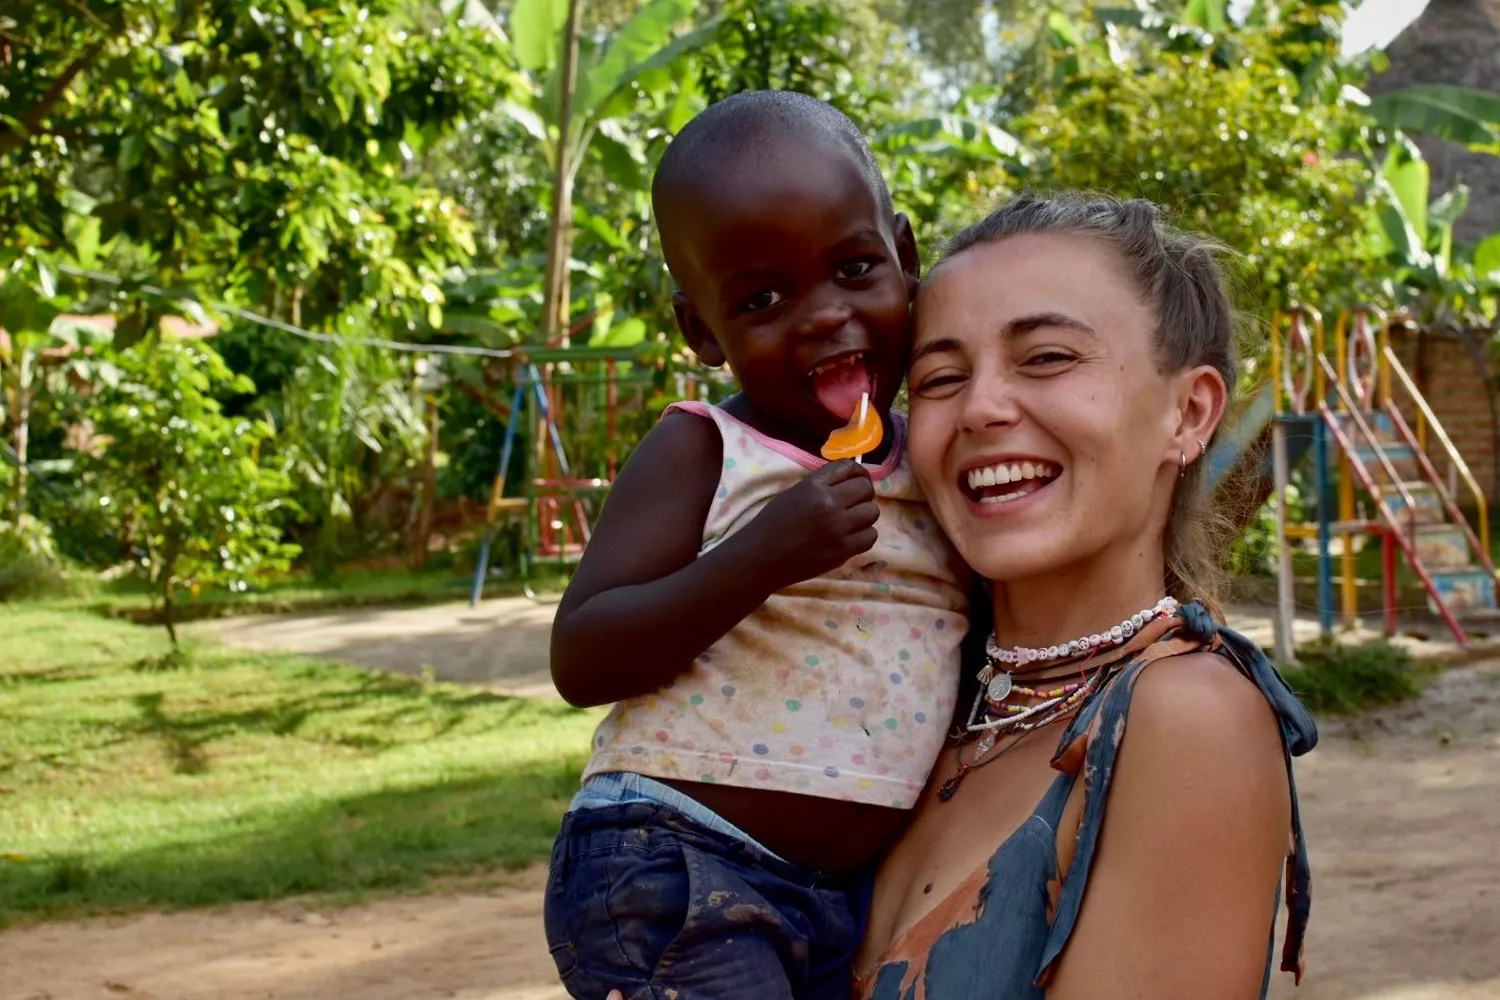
182,481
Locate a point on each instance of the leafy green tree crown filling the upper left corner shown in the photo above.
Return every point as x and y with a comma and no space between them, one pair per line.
260,149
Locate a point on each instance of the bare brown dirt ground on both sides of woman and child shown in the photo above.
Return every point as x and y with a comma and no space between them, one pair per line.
1403,813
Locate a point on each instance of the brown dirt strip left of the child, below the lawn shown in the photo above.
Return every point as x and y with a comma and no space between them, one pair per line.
482,945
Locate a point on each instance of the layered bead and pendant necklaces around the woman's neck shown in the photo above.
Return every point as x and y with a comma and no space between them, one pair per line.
994,713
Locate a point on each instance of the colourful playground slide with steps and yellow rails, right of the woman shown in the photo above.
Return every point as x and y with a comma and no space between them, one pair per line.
1360,404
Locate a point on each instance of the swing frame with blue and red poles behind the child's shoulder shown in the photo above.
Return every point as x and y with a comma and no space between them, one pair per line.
568,409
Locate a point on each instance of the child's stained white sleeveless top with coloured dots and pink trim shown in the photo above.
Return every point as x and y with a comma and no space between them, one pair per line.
841,687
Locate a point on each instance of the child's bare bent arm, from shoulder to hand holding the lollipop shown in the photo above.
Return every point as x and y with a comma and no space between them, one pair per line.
643,605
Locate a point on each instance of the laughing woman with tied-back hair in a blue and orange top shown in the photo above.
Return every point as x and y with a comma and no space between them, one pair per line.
1118,809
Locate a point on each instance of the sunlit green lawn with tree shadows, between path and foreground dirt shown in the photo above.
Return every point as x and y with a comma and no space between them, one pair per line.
127,783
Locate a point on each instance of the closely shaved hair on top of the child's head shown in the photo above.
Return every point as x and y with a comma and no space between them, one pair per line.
751,130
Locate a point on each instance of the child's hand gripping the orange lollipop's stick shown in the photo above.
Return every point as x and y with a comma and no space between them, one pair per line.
818,525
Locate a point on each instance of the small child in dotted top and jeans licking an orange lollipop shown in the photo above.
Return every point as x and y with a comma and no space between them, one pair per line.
779,633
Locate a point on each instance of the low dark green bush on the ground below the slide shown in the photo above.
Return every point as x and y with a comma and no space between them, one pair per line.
1339,680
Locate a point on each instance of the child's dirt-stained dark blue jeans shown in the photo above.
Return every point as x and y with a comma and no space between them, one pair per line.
646,900
